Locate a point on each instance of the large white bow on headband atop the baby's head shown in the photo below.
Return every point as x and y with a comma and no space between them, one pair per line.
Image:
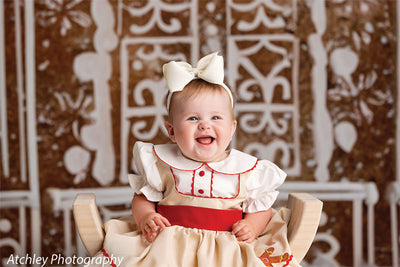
209,68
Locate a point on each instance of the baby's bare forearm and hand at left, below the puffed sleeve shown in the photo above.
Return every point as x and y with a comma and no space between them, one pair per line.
146,217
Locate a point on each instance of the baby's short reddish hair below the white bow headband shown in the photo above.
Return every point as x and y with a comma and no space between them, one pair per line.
196,87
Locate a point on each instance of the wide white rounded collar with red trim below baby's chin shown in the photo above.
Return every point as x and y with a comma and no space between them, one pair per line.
236,163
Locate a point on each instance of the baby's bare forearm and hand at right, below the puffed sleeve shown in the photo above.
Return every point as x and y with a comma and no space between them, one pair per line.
249,228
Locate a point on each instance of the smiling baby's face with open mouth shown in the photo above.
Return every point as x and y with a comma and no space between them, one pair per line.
202,126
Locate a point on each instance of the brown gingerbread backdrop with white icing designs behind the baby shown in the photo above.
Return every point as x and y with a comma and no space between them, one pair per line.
316,90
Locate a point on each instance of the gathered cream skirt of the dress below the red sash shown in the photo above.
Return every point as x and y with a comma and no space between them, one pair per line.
176,246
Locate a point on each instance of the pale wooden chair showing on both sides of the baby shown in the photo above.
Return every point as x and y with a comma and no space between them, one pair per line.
305,215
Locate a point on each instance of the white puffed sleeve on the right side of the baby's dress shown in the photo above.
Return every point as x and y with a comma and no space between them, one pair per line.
261,186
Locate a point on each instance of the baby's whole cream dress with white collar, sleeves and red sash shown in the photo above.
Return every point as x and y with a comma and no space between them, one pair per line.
204,192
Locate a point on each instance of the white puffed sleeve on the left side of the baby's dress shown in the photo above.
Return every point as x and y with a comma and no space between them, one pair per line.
148,180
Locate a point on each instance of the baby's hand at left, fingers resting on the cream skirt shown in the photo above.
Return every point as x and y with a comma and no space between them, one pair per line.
151,223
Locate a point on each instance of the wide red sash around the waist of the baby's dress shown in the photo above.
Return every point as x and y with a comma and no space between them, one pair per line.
200,218
